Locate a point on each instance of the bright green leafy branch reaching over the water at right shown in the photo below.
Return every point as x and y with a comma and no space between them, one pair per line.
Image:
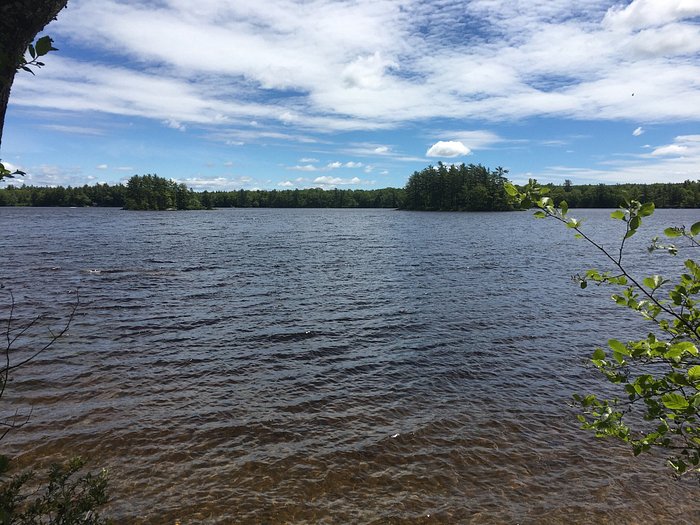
657,375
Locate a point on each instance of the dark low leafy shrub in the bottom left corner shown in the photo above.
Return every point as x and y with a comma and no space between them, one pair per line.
69,496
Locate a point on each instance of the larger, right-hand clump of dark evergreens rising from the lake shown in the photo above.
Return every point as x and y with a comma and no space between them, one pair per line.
457,188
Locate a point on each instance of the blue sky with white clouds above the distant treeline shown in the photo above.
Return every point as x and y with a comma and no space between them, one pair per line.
231,94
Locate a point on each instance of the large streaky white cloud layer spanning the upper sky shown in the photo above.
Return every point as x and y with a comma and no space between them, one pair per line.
328,66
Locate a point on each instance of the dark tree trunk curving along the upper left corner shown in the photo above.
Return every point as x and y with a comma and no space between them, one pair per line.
20,21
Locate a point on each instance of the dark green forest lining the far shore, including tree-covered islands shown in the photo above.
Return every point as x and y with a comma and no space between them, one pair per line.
440,188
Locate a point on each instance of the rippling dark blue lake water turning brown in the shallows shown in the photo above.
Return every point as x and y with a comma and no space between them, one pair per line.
327,366
